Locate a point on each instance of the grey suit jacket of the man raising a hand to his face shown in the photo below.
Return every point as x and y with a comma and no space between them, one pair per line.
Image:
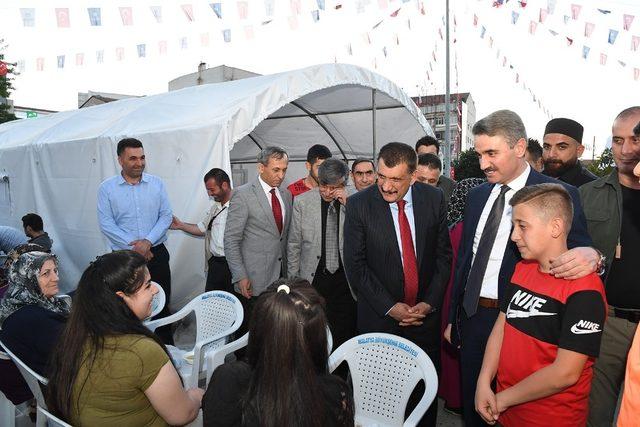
304,246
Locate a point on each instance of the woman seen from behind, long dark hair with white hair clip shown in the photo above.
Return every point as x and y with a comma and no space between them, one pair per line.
285,381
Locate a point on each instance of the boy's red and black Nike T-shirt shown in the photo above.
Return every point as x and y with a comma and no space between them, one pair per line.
544,313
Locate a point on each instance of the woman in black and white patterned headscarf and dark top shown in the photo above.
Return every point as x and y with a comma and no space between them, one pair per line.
31,315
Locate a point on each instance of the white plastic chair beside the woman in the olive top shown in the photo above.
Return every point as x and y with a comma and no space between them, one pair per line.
218,315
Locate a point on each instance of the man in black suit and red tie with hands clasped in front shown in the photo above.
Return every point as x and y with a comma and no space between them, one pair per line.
397,254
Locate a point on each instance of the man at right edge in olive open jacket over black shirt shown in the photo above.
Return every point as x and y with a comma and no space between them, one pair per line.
612,207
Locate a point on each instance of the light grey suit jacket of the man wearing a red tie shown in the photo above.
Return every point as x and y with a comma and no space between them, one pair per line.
252,244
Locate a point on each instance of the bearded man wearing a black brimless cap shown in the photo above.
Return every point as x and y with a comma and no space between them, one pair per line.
561,148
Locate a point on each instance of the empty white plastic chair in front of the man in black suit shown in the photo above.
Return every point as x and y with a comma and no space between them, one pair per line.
385,369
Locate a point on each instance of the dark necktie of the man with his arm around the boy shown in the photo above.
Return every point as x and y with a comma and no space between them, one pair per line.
479,267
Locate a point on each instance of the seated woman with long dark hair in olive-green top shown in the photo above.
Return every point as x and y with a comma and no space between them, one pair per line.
108,369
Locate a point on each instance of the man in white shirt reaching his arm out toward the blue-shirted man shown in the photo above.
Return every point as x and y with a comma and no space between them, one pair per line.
218,186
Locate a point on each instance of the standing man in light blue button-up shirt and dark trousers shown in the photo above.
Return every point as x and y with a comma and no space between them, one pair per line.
134,213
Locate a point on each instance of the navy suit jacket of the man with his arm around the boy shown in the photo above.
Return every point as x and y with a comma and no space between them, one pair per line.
476,200
